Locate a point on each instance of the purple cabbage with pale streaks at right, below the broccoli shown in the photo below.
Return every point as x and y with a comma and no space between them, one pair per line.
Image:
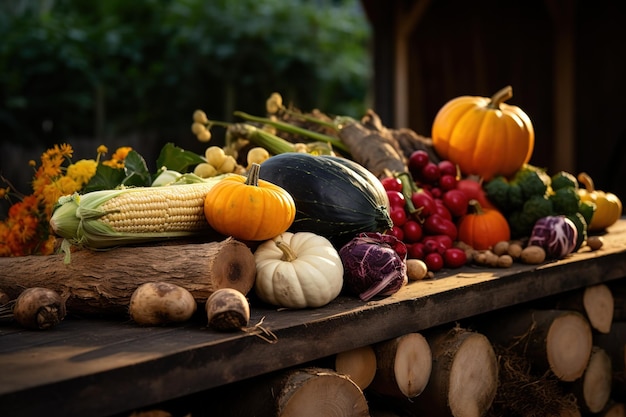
557,235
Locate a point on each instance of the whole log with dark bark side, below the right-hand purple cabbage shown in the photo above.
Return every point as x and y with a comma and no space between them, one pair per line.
555,340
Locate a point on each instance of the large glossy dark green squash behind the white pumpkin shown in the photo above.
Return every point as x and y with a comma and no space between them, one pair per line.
333,198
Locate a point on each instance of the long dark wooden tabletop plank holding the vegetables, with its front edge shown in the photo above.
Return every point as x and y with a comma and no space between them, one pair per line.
102,367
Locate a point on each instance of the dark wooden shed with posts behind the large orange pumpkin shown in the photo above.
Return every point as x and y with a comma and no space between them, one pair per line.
564,59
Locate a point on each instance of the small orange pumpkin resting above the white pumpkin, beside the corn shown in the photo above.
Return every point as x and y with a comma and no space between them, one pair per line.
248,208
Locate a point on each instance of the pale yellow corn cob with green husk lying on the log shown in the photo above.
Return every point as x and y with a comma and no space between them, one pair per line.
107,218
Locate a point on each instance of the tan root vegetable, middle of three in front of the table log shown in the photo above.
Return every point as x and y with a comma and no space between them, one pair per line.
159,303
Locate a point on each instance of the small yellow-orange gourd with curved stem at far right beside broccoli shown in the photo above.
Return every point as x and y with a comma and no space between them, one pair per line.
608,205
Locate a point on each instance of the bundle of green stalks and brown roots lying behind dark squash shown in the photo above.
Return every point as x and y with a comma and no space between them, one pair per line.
286,129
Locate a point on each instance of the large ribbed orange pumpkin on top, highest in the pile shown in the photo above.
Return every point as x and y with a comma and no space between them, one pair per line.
484,136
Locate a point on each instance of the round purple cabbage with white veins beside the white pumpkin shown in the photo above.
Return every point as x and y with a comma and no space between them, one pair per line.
374,264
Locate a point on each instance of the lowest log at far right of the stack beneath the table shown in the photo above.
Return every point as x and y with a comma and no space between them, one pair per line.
593,389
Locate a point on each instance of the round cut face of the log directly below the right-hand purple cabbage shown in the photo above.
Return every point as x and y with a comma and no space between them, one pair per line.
568,346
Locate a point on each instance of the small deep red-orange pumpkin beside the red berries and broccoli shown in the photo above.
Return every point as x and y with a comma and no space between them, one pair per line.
481,227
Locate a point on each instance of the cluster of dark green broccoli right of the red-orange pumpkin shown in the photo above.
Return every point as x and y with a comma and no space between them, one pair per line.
531,194
